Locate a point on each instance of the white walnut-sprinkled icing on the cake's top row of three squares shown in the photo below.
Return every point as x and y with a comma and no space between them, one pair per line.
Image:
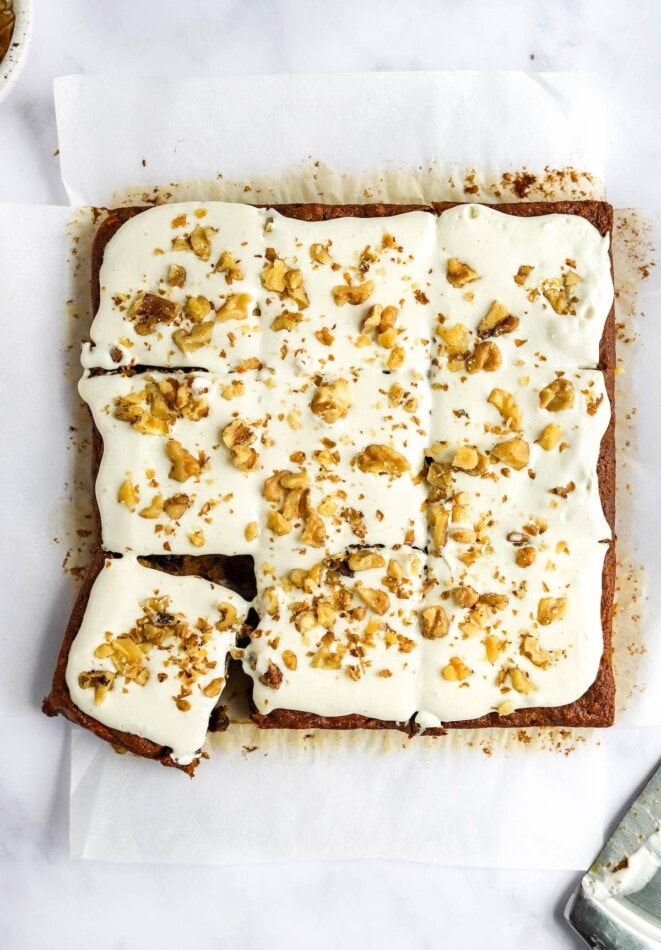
404,257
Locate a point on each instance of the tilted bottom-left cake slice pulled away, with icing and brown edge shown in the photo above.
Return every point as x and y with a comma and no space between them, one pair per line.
145,658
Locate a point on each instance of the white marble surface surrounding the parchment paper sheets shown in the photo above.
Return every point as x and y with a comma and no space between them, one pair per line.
48,900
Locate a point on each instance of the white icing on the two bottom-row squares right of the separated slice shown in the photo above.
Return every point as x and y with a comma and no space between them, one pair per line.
336,642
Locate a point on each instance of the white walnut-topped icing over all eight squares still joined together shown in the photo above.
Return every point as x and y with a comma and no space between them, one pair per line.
415,382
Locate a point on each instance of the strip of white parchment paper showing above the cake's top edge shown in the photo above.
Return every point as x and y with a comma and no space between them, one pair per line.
441,133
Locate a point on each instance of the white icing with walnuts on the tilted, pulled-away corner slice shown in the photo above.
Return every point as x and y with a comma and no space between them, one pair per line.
170,707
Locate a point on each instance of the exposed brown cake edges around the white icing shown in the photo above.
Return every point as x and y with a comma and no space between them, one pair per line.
594,708
